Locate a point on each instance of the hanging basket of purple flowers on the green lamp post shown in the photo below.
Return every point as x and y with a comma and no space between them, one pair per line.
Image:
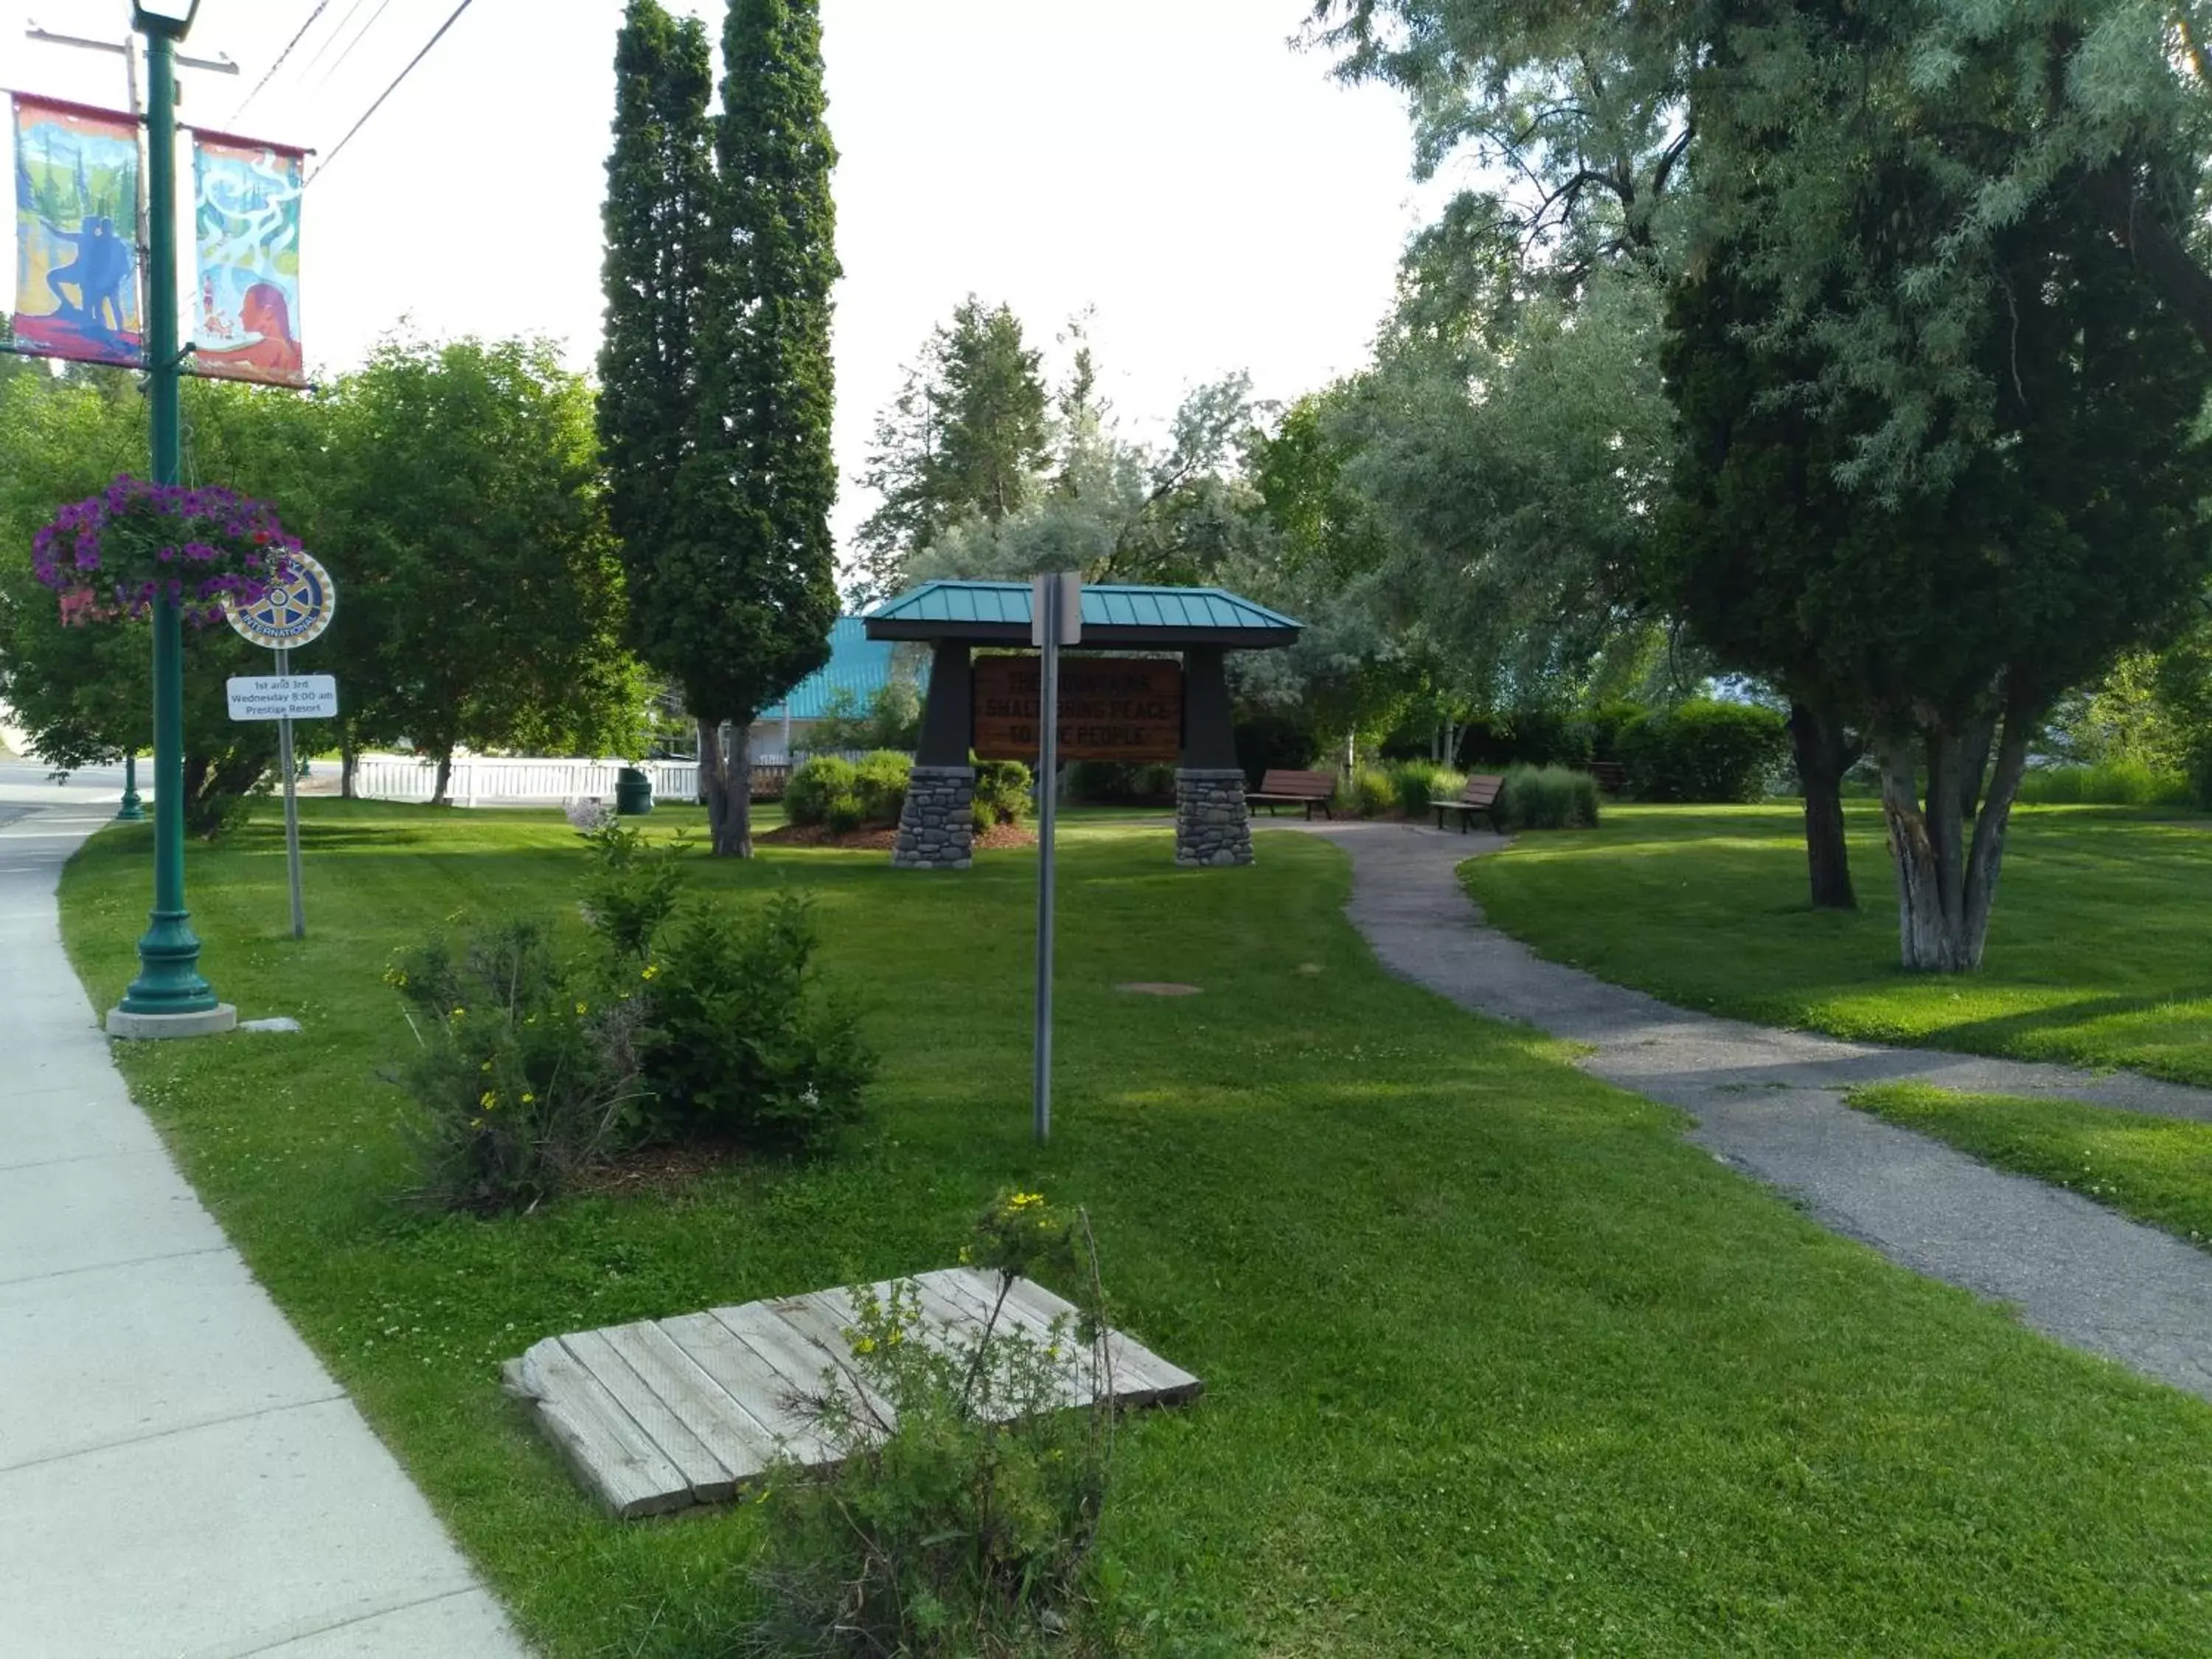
118,552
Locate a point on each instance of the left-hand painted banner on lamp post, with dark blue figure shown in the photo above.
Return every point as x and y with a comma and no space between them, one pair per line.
76,233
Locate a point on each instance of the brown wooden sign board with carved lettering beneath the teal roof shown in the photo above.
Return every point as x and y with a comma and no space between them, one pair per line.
1112,709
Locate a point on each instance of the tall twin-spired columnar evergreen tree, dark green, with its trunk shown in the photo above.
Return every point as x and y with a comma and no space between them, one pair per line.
720,326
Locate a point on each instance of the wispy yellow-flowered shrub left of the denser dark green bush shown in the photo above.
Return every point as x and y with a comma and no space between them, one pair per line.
523,1078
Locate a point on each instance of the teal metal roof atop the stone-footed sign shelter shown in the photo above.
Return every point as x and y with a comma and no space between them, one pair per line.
1138,616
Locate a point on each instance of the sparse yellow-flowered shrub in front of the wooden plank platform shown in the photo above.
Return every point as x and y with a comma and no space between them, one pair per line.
963,1510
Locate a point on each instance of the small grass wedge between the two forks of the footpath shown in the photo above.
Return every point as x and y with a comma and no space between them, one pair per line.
2153,1169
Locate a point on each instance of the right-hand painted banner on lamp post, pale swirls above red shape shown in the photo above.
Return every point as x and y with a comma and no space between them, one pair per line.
247,218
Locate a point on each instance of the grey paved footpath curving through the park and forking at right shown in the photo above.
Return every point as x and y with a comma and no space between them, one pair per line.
1771,1103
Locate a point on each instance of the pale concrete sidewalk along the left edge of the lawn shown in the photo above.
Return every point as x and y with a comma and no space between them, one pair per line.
180,1479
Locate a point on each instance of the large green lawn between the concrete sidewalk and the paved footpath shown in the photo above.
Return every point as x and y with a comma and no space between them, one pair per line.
1496,1364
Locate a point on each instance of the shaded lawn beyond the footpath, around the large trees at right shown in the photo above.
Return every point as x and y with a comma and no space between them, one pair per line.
2096,950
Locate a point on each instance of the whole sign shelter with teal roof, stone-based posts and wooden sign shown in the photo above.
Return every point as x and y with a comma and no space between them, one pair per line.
1123,700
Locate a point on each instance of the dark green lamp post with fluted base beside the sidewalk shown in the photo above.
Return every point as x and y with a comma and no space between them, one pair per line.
169,999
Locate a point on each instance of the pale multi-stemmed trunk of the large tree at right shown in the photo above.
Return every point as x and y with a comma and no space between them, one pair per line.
1945,881
